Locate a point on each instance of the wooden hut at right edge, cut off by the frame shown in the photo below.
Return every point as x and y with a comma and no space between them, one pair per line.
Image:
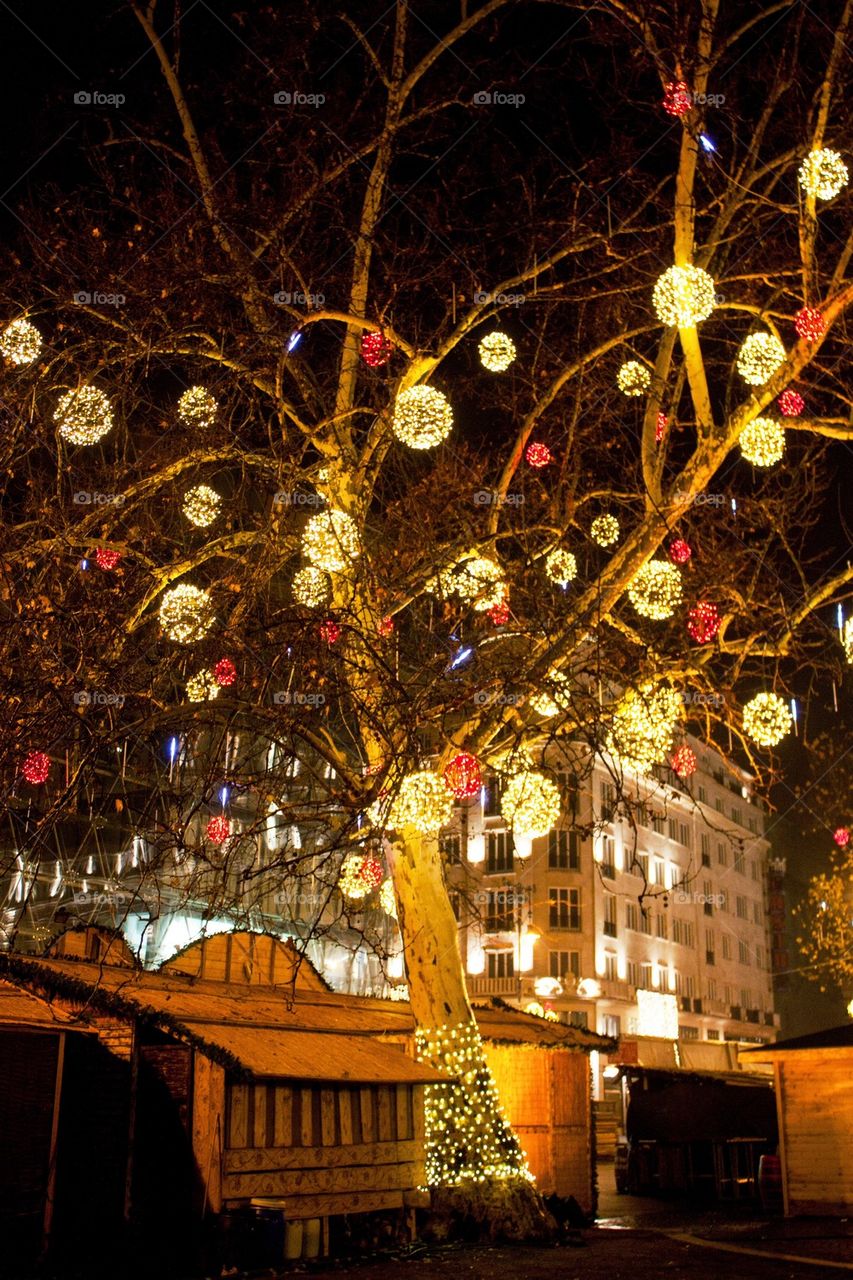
815,1108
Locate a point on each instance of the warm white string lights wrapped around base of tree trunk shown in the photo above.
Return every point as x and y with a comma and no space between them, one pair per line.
468,1137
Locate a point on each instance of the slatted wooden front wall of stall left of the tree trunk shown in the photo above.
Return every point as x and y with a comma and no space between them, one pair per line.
358,1148
